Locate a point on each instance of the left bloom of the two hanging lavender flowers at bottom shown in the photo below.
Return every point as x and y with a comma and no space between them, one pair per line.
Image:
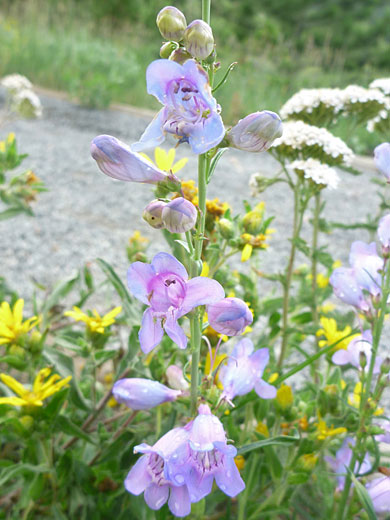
148,475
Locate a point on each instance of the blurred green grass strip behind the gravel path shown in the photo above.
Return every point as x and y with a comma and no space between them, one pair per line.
104,65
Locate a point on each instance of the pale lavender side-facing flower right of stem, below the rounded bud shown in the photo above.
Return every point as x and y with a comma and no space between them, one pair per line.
244,371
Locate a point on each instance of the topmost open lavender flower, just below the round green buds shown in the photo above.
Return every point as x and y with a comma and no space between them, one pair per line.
190,112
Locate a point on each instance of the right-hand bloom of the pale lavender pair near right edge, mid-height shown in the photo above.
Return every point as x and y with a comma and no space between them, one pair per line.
366,265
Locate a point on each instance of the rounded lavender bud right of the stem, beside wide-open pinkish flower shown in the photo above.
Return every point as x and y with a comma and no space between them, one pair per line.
229,316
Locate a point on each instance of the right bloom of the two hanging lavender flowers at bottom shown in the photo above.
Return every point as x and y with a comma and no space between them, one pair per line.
204,457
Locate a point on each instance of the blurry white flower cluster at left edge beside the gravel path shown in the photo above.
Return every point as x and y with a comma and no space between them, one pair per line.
21,97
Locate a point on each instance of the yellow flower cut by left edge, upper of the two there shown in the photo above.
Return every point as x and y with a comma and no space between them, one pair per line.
12,325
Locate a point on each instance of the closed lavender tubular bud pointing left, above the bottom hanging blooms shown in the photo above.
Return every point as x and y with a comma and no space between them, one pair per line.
142,394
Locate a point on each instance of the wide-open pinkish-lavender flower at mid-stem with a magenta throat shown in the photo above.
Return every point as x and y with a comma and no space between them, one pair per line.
164,286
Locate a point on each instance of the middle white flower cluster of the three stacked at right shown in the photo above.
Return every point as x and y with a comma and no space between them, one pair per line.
300,140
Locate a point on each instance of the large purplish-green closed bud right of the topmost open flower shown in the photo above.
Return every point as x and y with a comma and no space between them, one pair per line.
256,132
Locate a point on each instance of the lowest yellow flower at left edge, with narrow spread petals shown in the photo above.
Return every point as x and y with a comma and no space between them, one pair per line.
41,390
